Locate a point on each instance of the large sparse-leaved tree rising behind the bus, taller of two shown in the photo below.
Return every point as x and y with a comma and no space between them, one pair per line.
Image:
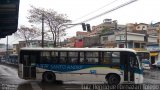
56,23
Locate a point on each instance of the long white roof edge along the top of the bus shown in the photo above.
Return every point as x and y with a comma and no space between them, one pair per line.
79,49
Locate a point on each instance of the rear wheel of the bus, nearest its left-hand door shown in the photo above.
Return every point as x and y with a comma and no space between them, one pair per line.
49,77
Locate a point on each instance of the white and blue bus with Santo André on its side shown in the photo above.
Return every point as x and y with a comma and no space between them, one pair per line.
110,65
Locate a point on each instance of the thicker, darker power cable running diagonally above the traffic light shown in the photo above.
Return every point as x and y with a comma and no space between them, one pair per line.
118,7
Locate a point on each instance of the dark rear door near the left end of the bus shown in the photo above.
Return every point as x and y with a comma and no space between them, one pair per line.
29,67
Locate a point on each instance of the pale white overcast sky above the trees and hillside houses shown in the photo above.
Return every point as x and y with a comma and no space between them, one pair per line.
141,11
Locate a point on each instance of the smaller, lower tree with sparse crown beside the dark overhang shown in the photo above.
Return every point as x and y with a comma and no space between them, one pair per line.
27,33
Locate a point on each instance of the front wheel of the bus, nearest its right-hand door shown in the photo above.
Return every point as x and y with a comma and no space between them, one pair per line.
113,79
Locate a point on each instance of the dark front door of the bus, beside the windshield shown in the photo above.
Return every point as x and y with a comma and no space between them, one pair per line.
128,69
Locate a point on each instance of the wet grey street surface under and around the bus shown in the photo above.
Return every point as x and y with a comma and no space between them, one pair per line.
9,80
